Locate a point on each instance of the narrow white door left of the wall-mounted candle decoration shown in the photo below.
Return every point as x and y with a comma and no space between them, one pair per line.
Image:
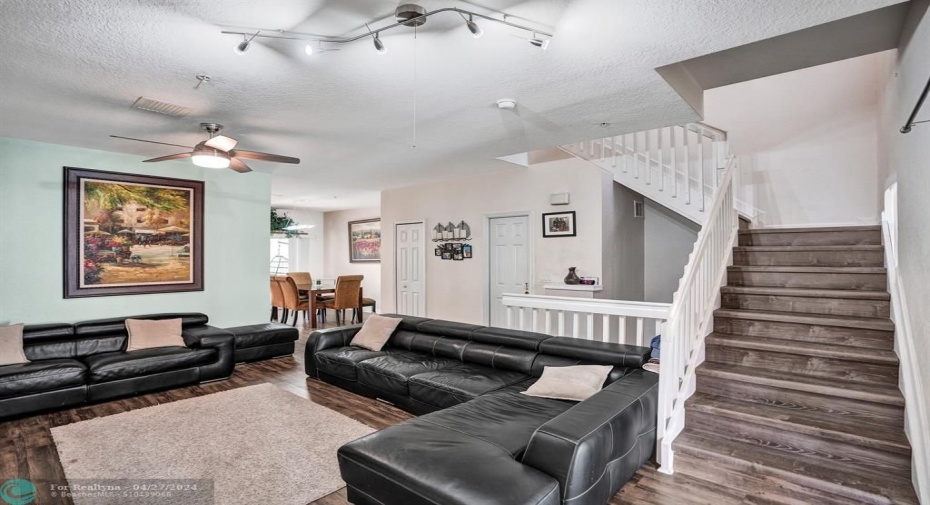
410,269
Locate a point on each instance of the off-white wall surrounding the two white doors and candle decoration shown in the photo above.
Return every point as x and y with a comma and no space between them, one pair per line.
455,289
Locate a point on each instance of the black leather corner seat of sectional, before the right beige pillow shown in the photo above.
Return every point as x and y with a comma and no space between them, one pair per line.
506,419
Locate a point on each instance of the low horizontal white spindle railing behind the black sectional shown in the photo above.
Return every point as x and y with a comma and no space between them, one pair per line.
616,321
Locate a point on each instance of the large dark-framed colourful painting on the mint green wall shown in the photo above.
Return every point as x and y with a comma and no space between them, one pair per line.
131,234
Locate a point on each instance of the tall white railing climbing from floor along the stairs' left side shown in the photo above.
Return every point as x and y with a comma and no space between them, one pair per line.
691,315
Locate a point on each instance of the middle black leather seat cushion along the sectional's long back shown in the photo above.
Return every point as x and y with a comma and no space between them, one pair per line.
390,373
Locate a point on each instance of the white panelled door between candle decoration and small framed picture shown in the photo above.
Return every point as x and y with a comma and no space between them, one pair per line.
509,262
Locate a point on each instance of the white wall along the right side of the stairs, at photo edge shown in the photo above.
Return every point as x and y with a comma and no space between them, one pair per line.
907,161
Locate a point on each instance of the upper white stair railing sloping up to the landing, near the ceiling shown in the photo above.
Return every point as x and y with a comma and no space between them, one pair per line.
676,166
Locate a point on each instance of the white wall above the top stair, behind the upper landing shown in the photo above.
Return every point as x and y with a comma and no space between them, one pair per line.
807,142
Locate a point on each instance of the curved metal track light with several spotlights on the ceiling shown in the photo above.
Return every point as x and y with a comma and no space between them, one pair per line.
410,15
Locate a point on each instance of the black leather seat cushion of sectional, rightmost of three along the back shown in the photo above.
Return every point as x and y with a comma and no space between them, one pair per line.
454,385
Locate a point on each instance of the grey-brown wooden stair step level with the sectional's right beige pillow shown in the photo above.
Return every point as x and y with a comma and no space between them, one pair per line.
878,393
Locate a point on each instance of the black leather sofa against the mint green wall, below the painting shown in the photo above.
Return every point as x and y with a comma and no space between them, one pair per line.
71,364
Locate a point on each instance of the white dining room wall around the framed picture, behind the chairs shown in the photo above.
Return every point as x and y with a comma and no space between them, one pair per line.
336,251
